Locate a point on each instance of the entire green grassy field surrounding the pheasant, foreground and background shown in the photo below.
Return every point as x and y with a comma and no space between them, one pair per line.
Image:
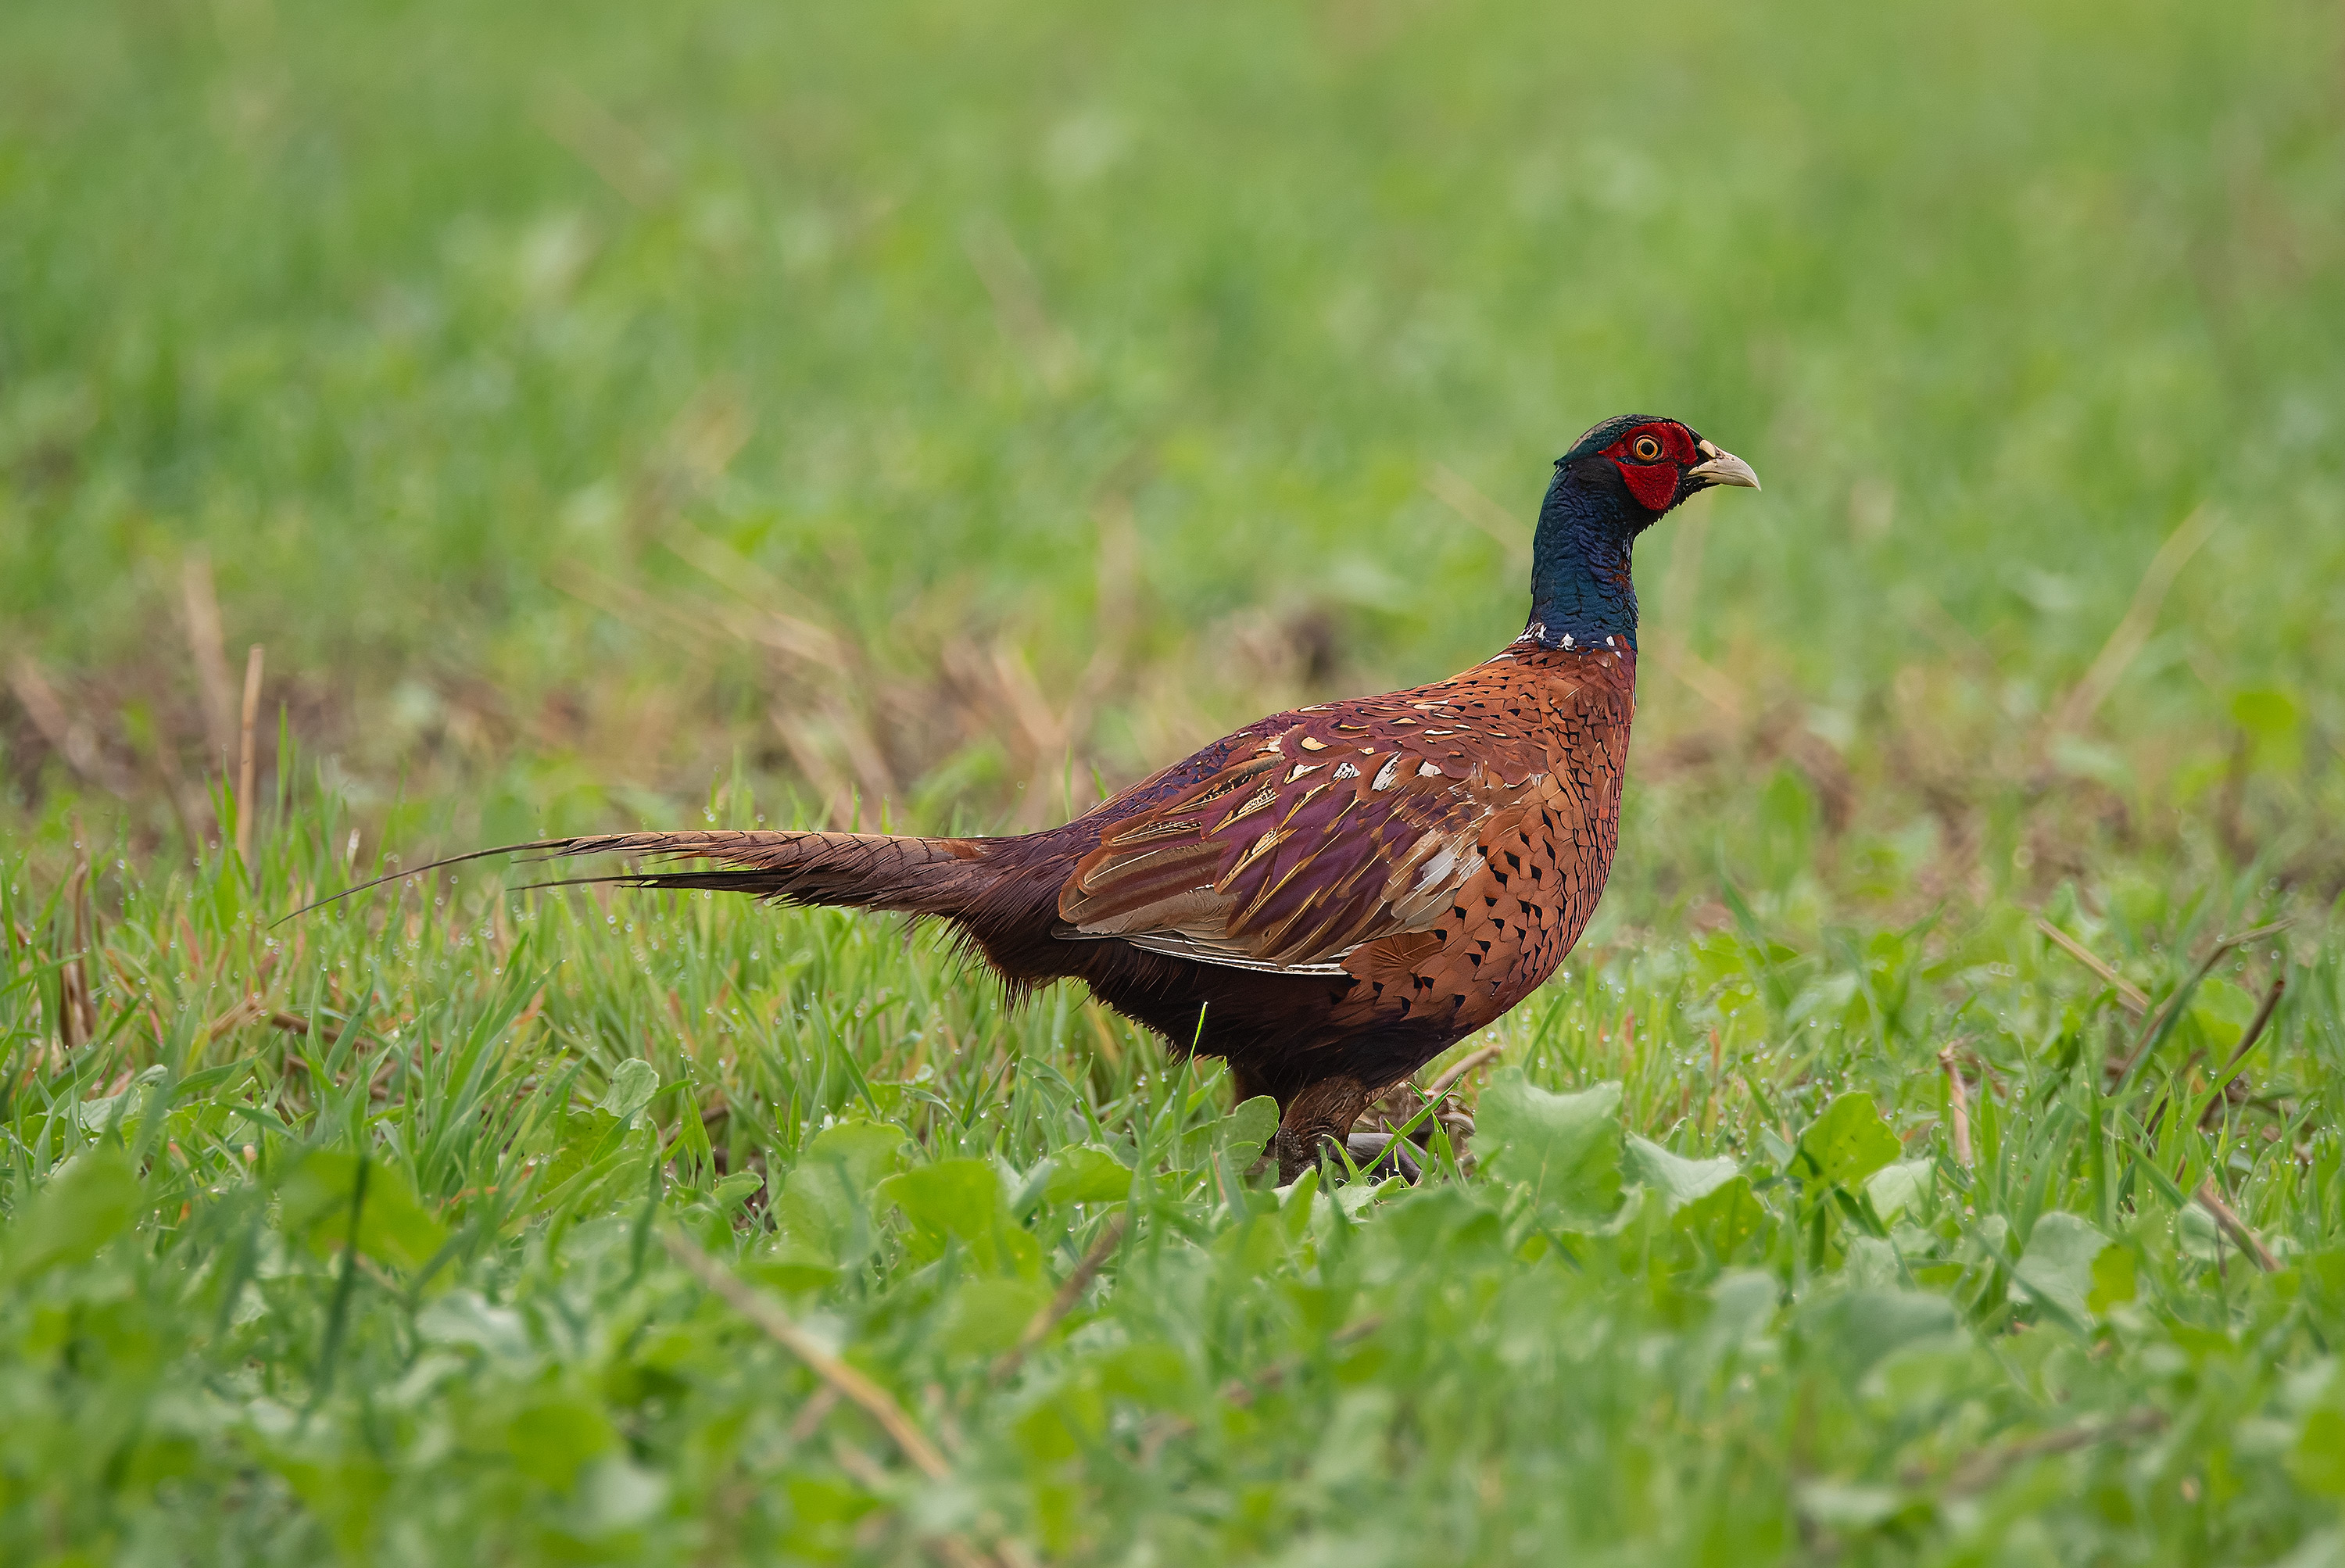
925,414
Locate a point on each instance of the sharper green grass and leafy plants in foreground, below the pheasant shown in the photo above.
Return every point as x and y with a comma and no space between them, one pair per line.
1807,1325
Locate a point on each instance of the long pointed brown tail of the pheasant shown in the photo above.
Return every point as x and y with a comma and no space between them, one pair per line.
798,868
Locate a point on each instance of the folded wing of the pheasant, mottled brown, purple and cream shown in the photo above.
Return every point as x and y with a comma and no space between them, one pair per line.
1331,829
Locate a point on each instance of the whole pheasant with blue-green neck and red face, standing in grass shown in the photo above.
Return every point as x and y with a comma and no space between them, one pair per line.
1331,897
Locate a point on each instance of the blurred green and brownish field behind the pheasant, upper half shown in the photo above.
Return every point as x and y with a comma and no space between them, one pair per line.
967,404
